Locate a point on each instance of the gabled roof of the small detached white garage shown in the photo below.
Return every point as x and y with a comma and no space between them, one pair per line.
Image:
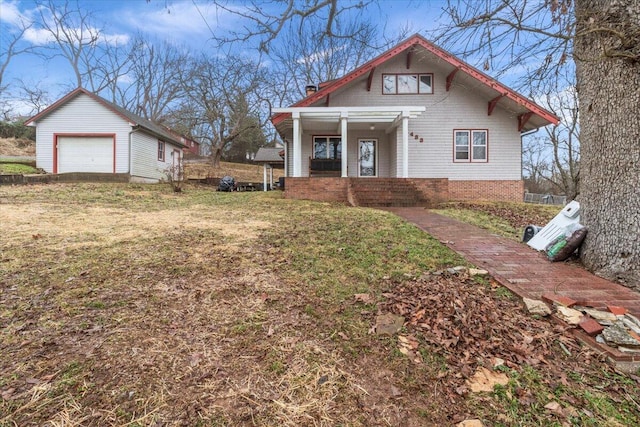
134,119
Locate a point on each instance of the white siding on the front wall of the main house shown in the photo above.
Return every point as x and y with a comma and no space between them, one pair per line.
460,108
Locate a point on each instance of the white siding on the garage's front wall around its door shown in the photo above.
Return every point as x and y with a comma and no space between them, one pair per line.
82,115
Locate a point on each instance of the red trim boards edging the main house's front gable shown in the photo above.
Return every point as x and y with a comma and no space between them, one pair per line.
440,53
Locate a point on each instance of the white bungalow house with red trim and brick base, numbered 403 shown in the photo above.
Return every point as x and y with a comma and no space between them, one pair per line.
415,125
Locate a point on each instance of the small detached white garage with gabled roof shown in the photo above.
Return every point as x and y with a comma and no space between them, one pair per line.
85,133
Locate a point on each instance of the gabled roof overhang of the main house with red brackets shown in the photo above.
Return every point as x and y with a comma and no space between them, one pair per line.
496,91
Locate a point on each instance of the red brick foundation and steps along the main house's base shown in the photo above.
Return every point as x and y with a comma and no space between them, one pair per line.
428,191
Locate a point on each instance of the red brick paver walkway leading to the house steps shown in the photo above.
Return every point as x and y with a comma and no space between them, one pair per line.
520,268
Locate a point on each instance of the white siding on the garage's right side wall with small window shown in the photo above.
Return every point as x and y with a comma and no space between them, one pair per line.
144,157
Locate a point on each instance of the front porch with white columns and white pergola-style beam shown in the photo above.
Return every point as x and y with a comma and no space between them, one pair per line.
347,131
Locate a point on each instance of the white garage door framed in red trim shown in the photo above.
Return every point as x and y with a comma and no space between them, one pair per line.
85,154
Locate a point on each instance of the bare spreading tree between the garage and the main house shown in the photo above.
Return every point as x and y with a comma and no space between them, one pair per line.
224,100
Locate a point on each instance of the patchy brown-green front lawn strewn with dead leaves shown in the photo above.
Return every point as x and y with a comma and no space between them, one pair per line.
132,305
